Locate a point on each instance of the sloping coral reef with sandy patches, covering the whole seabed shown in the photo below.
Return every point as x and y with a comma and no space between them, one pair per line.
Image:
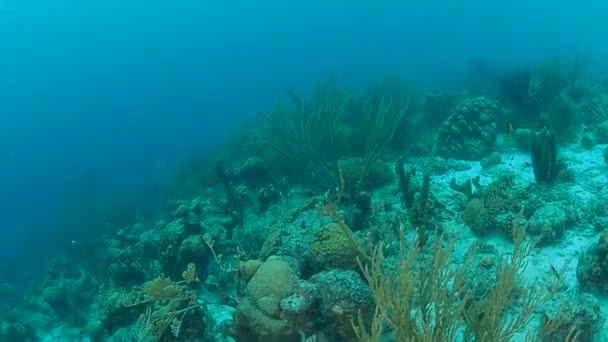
337,223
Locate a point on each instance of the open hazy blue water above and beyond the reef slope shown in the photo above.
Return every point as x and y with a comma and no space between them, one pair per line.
106,96
